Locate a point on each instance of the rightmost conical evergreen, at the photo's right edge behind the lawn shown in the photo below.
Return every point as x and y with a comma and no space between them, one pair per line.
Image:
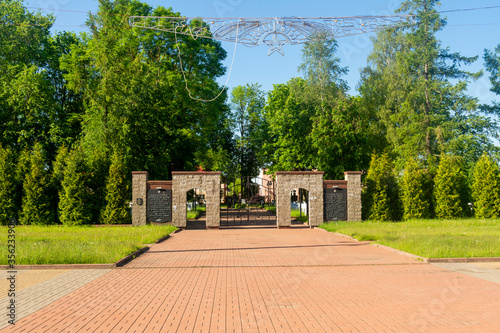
486,188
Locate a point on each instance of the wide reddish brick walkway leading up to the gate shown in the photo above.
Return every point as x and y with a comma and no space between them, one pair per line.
268,280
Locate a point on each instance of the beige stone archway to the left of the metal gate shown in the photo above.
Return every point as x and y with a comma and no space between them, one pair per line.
182,182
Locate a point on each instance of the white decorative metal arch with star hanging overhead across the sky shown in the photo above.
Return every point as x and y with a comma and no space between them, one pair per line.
273,32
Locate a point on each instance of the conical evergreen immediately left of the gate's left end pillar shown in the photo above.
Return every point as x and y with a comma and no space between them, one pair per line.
116,210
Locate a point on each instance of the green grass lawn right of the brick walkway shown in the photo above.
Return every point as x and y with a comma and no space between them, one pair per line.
429,238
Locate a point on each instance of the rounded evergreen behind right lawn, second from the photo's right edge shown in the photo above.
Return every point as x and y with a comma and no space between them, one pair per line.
451,192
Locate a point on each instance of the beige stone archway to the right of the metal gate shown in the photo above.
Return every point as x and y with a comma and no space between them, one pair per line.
308,180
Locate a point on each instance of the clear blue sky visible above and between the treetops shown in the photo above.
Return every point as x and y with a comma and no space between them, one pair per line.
467,32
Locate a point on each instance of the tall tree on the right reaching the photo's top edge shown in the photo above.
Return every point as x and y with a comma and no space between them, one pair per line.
418,90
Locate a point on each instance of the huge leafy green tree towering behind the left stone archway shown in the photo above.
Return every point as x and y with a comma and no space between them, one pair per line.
134,88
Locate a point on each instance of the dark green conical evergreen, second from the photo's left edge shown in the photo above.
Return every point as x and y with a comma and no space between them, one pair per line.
36,207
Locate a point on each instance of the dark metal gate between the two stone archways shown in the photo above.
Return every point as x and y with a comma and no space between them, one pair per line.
248,201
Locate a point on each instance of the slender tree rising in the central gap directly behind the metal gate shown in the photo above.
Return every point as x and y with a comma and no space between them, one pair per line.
250,127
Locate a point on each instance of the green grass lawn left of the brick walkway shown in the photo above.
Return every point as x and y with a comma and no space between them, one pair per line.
36,245
